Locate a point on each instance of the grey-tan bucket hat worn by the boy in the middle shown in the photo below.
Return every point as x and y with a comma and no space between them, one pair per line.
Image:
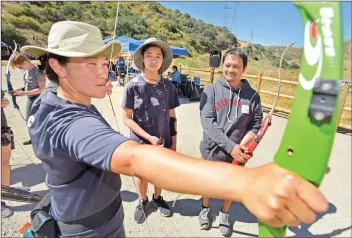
138,57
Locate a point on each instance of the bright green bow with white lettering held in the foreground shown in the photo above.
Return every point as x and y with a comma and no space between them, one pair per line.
315,110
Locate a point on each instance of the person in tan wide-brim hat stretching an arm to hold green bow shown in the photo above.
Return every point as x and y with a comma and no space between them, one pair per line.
83,156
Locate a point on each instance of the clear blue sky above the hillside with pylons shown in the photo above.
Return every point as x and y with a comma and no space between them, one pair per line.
273,23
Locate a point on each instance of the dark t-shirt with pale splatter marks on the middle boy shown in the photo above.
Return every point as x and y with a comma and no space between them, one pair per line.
151,104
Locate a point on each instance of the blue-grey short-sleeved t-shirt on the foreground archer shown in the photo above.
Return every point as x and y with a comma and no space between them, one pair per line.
67,137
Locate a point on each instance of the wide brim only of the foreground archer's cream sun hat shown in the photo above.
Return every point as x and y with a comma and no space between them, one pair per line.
110,50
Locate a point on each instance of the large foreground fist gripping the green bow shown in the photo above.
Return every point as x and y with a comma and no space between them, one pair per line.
279,197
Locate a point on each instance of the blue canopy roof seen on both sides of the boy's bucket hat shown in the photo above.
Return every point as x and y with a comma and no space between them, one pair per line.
130,44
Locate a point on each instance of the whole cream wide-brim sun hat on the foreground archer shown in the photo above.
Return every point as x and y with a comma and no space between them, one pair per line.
75,39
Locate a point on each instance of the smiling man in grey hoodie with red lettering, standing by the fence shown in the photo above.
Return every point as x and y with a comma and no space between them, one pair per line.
231,115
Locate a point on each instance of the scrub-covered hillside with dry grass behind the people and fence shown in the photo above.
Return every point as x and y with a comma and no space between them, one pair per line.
29,23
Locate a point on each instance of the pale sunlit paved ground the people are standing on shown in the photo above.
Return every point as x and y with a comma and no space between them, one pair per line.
27,171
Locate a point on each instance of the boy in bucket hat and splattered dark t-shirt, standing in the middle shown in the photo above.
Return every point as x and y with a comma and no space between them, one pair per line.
149,103
